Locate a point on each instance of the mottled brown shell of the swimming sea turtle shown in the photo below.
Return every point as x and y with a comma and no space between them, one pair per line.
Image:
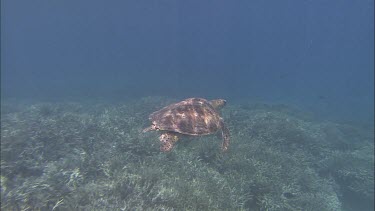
193,116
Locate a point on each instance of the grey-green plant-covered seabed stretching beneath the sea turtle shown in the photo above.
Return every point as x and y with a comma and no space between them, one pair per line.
94,156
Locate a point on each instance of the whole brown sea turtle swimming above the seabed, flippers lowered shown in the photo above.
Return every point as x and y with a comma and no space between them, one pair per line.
193,116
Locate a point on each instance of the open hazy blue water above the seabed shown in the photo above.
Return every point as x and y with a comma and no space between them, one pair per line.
318,54
